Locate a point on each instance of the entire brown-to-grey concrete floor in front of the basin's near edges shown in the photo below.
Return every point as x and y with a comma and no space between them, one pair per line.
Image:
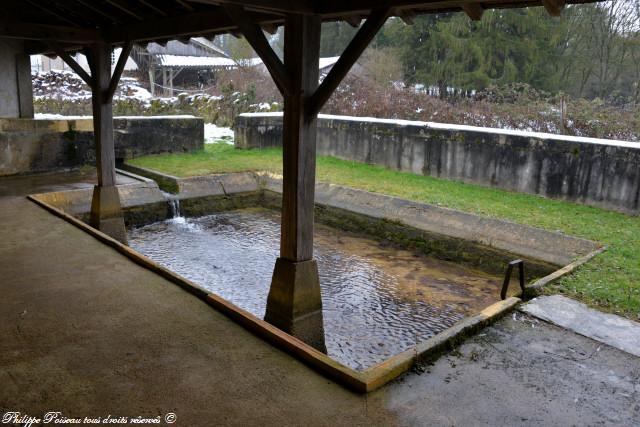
85,331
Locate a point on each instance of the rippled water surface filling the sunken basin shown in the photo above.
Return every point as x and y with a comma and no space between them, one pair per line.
377,300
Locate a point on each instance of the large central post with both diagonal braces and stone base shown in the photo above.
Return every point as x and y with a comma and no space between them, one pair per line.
294,303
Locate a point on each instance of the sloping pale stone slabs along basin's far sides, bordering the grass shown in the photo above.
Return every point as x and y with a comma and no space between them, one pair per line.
547,246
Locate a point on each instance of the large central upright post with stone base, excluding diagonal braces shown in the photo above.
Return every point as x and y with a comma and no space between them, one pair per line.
294,304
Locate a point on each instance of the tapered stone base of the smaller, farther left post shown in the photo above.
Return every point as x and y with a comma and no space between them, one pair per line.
106,214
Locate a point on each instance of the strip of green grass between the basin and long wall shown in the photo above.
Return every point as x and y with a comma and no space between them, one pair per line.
610,281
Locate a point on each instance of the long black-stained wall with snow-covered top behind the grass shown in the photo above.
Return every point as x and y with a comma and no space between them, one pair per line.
597,172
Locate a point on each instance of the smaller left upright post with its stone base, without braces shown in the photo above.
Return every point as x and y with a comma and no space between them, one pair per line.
106,213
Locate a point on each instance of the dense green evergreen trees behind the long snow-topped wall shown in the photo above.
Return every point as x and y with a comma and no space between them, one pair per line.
504,47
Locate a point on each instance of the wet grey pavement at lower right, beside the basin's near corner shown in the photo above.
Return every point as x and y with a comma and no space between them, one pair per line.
523,372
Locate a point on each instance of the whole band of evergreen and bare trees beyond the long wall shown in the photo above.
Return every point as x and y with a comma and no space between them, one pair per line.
591,50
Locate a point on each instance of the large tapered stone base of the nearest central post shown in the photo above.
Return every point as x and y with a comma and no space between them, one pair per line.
294,304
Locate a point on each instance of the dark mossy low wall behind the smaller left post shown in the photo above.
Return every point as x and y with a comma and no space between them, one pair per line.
28,145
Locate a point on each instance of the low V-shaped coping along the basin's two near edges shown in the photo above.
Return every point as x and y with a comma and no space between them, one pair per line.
362,382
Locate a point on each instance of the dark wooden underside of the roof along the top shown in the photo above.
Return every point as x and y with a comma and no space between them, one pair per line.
82,22
